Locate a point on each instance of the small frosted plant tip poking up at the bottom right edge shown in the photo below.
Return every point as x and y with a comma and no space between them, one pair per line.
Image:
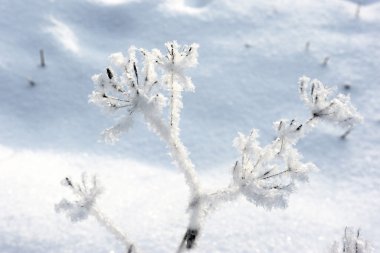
351,243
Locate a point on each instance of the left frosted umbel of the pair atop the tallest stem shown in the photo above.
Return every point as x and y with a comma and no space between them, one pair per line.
130,89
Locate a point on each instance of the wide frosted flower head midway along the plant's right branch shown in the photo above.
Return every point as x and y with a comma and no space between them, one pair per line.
266,176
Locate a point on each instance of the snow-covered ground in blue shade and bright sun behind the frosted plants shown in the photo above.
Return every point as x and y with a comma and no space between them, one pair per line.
251,56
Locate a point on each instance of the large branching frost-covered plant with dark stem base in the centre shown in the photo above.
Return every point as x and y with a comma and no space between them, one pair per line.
265,176
